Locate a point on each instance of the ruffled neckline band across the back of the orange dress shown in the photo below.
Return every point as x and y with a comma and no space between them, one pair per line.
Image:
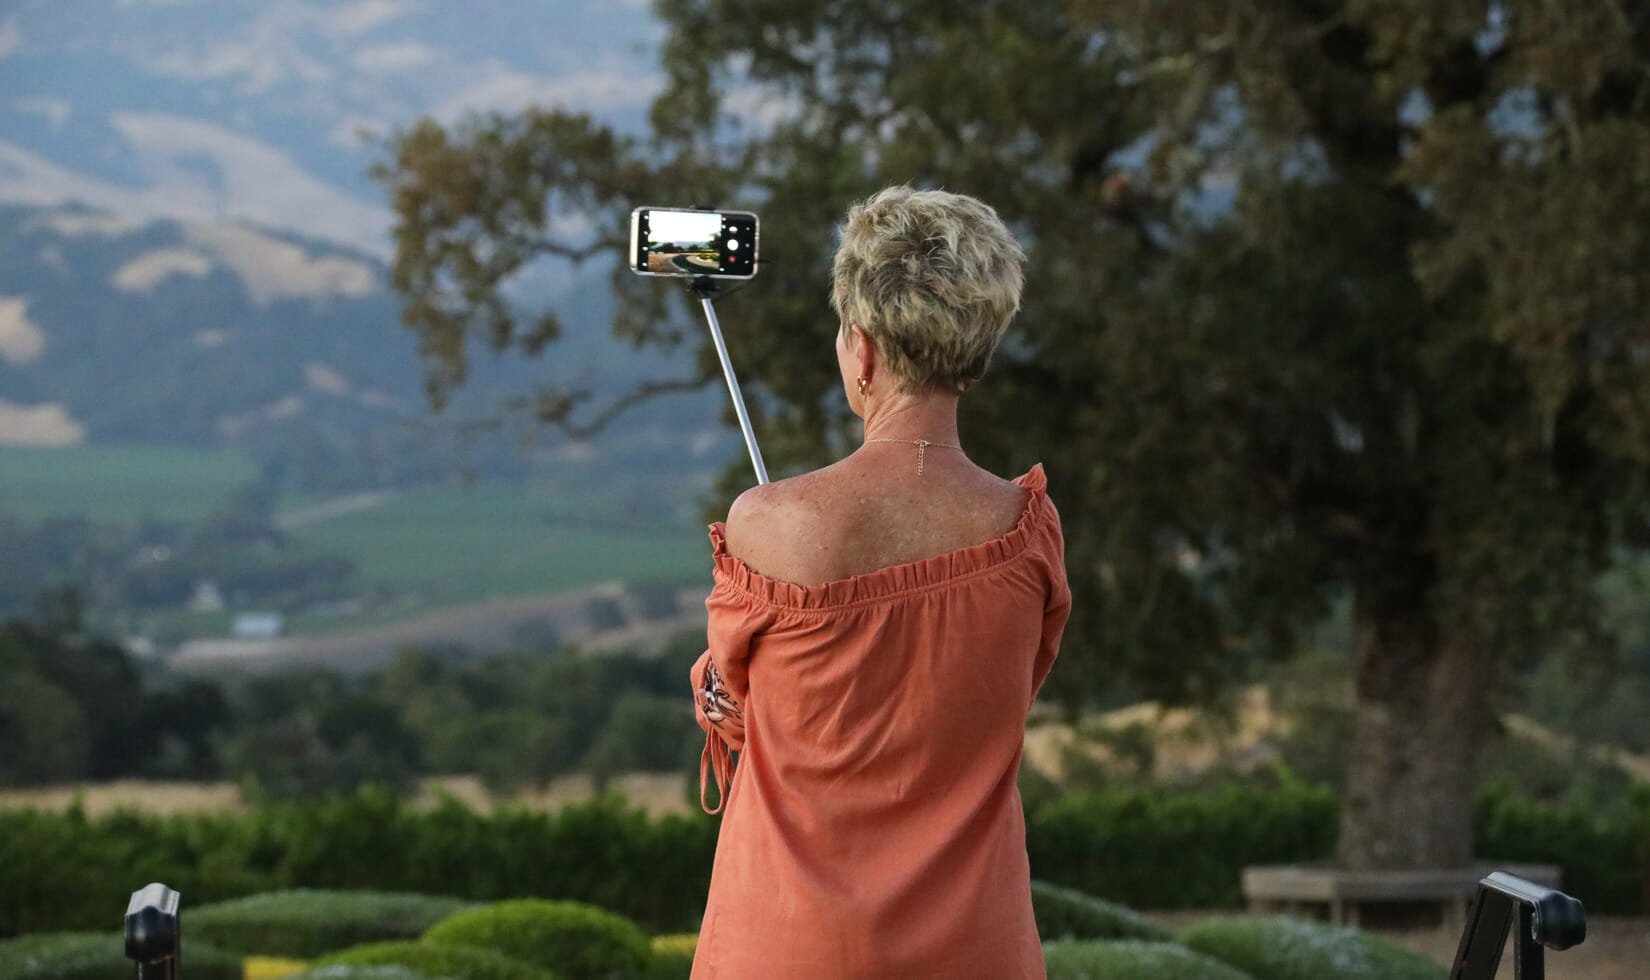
897,580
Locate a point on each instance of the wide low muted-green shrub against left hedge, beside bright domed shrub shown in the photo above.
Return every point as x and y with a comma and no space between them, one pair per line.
304,925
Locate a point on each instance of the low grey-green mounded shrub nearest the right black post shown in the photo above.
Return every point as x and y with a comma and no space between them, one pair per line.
1289,949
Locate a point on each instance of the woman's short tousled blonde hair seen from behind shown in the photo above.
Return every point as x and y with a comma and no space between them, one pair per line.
933,278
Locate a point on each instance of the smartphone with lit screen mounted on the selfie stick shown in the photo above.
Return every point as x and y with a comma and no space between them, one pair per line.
687,242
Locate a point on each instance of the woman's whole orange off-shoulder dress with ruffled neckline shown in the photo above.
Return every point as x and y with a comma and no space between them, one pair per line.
874,827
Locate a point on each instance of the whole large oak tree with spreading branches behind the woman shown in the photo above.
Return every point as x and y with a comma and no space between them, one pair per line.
1327,299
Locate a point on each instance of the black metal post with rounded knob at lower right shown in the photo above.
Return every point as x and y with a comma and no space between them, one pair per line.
1535,916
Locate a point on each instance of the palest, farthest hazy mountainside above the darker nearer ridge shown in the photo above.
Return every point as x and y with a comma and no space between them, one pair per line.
270,111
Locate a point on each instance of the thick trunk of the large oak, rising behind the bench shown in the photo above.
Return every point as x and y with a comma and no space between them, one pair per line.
1420,715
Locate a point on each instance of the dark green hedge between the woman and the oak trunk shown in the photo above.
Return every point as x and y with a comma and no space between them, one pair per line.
1177,850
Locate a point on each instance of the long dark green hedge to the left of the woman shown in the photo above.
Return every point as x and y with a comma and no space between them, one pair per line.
55,870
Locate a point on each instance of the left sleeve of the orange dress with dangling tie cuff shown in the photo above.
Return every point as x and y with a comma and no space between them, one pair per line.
722,687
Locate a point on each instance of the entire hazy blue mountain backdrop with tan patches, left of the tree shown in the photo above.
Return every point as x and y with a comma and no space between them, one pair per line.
191,248
